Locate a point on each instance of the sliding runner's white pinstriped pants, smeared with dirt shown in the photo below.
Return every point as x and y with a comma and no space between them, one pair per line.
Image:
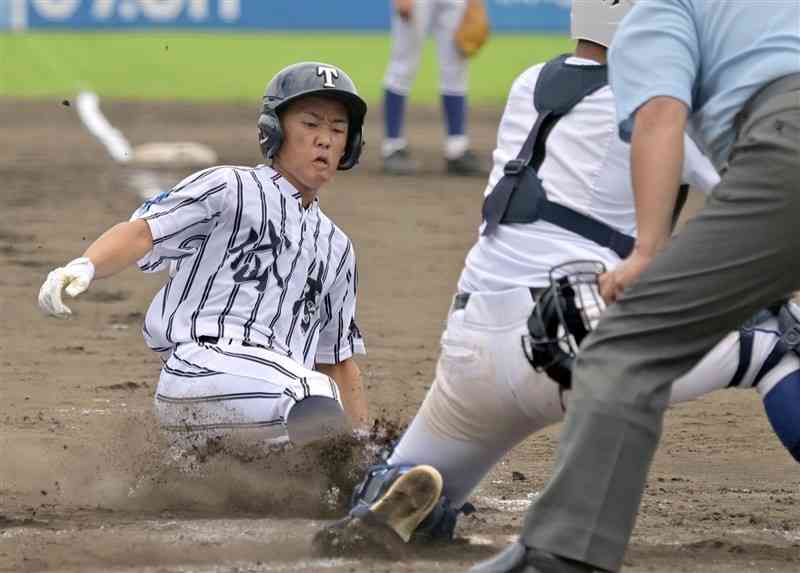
240,393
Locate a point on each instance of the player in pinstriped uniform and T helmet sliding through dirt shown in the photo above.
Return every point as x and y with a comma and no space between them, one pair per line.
256,321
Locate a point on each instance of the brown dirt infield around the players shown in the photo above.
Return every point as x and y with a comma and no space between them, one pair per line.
85,484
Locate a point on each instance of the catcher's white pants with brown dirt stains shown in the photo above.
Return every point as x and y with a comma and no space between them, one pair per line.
487,398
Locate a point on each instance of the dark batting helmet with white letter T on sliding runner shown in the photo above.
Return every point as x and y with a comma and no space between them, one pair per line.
306,79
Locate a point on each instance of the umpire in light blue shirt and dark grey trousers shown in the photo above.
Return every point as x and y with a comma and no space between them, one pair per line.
729,71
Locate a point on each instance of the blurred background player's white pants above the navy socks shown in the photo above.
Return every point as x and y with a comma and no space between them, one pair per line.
441,19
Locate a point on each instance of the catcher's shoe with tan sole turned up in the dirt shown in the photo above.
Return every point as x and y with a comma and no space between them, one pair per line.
389,522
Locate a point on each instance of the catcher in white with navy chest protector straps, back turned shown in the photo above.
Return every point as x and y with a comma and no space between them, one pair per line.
560,191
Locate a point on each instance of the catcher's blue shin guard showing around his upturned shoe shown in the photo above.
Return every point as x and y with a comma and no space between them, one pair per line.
439,525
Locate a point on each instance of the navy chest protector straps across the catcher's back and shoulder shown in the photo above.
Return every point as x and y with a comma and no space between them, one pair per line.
519,196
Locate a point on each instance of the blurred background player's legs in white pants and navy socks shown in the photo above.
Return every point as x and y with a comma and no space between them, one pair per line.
412,20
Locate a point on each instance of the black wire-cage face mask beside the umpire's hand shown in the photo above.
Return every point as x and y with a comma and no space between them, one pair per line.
565,312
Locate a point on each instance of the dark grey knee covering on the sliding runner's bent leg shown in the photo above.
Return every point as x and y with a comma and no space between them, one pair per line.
315,418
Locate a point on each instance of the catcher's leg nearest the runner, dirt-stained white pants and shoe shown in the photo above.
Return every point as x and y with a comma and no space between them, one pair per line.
485,399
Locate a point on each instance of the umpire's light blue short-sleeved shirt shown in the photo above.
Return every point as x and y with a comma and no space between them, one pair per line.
710,54
